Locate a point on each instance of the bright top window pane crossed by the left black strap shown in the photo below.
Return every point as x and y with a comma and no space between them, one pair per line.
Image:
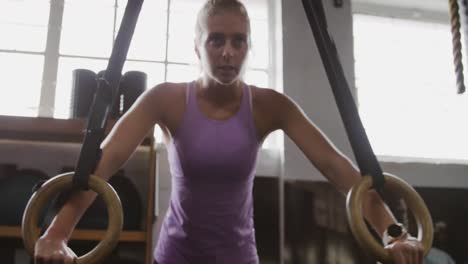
149,39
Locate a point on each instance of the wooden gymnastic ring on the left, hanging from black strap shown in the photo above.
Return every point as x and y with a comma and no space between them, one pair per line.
37,202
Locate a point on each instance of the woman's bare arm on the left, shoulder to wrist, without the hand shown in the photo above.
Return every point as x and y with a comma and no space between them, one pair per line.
117,147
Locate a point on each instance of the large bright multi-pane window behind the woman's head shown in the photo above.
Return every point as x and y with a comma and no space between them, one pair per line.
45,40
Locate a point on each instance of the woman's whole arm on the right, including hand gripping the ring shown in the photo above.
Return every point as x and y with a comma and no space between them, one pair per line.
341,173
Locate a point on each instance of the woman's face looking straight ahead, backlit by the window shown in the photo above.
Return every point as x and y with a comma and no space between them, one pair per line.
223,47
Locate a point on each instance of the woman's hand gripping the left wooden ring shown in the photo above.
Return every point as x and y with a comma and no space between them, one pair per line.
50,250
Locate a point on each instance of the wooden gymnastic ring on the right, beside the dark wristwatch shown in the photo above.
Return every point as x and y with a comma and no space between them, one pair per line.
414,202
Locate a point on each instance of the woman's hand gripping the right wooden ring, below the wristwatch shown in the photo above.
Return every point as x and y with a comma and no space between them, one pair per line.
407,250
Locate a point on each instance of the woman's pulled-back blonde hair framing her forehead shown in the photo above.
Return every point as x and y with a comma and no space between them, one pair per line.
213,7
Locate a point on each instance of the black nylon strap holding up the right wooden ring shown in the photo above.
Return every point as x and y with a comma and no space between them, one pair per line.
365,157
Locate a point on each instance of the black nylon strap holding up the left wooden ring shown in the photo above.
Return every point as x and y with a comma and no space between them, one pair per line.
106,95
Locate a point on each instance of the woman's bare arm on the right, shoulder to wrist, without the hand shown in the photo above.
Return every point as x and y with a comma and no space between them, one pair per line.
336,167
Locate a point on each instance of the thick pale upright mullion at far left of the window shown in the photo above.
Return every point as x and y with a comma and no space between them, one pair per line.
49,76
